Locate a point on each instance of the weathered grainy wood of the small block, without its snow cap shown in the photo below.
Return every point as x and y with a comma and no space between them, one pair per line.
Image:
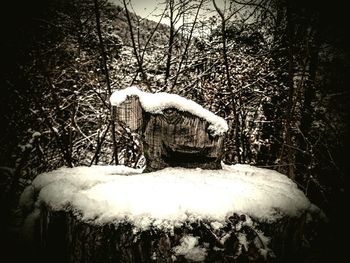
173,138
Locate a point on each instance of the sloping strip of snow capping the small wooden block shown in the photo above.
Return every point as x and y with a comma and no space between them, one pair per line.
157,102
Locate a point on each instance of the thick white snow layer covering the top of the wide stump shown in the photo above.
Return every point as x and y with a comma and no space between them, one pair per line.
169,197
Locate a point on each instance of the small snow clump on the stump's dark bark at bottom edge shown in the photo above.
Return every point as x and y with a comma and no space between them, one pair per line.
190,250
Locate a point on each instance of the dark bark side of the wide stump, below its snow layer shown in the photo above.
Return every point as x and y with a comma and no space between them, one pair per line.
65,238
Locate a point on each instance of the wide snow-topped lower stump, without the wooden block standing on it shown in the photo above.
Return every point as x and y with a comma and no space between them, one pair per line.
117,214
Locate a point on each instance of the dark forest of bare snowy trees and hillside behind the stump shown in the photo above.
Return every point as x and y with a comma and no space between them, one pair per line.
276,70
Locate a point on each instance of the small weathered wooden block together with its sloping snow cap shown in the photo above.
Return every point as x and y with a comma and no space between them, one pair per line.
175,132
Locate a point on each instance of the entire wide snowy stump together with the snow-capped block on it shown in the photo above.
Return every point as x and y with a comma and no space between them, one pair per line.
186,209
